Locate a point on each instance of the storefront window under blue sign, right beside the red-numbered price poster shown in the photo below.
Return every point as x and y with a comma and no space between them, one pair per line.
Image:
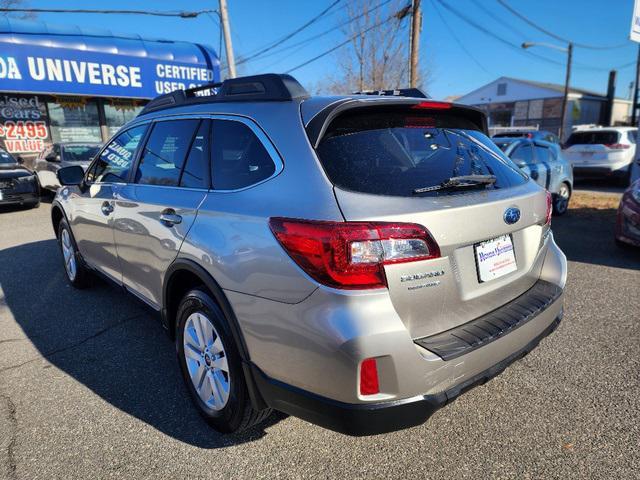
74,120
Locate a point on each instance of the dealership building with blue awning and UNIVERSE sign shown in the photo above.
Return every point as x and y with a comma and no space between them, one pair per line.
72,84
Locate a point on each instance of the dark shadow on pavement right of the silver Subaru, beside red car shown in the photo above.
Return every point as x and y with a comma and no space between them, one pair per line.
587,235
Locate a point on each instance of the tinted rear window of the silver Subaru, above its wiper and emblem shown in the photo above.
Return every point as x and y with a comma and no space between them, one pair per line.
394,153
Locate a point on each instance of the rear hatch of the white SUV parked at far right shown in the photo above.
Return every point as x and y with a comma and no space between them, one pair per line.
595,147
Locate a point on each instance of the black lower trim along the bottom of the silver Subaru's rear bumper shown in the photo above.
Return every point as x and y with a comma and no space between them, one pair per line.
374,418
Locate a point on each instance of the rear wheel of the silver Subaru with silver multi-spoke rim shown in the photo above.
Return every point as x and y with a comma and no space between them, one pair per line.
222,398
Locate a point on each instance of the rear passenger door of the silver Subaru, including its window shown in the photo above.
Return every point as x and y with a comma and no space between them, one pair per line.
155,210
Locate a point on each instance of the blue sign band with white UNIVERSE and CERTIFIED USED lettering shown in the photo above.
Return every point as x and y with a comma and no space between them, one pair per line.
39,69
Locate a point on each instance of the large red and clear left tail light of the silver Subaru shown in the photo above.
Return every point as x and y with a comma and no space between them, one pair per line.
352,255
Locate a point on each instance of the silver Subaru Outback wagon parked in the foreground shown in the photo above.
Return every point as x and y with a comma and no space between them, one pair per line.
355,261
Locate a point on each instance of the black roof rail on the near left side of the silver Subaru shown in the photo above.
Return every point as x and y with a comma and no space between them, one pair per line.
268,87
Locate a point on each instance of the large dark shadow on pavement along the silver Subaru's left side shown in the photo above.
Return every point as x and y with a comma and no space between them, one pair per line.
107,341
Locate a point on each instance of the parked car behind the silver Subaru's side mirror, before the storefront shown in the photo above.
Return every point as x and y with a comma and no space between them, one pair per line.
59,155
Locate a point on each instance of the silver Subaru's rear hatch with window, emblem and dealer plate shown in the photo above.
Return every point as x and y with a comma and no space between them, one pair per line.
390,163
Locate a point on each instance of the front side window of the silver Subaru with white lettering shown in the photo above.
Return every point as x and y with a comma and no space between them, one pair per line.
115,161
